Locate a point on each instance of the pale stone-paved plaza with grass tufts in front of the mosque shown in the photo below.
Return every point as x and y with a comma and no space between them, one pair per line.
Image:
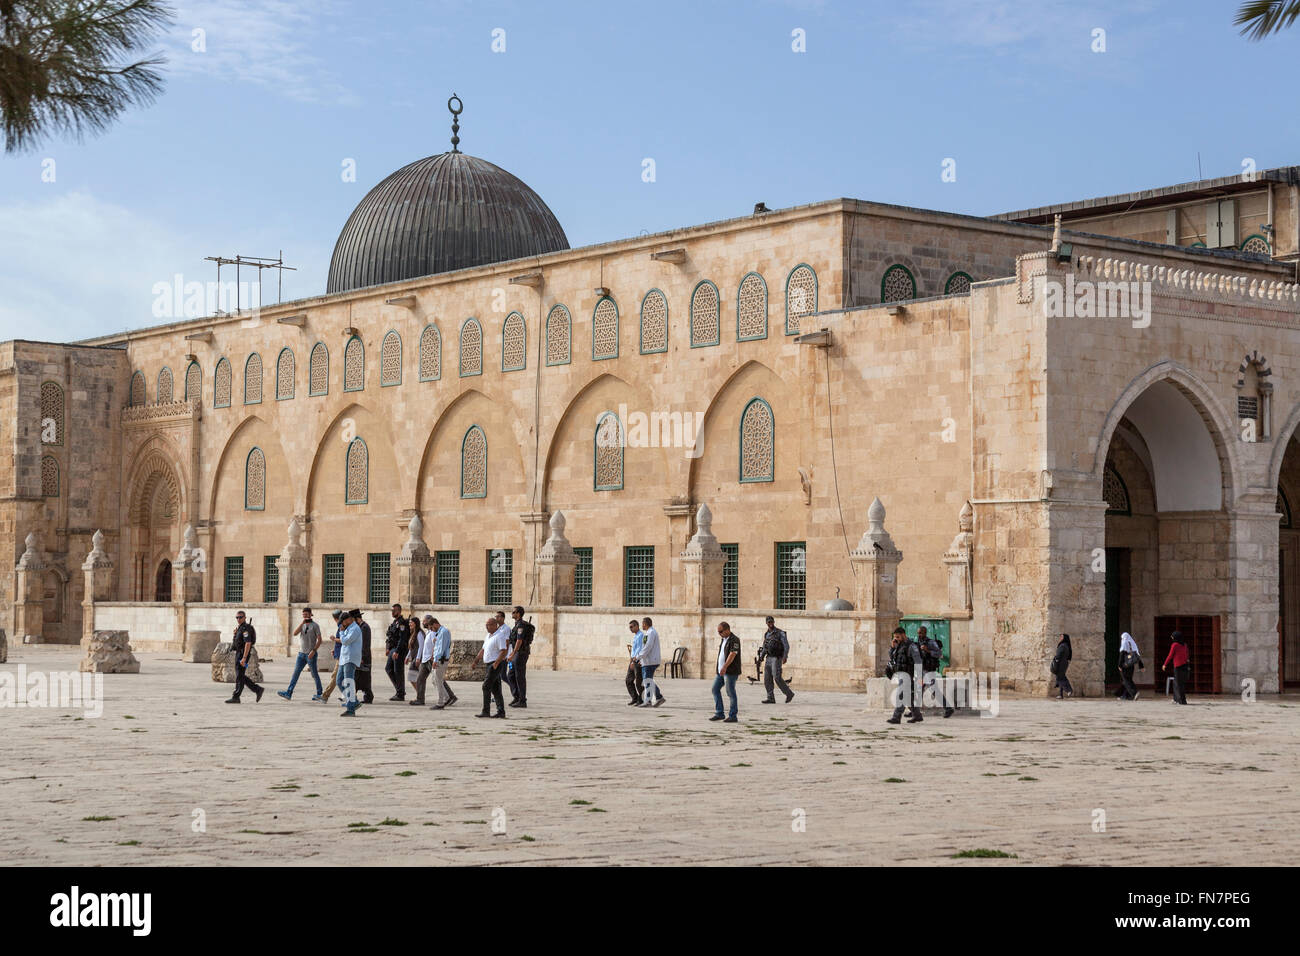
584,780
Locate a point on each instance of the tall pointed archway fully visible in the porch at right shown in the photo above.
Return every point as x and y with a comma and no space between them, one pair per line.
1168,479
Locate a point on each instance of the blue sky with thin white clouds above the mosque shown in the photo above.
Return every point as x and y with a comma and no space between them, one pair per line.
246,149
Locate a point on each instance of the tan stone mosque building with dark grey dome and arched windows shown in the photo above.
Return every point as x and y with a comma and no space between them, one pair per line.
1006,429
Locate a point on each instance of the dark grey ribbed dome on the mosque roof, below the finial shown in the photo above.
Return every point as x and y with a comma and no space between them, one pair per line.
452,211
